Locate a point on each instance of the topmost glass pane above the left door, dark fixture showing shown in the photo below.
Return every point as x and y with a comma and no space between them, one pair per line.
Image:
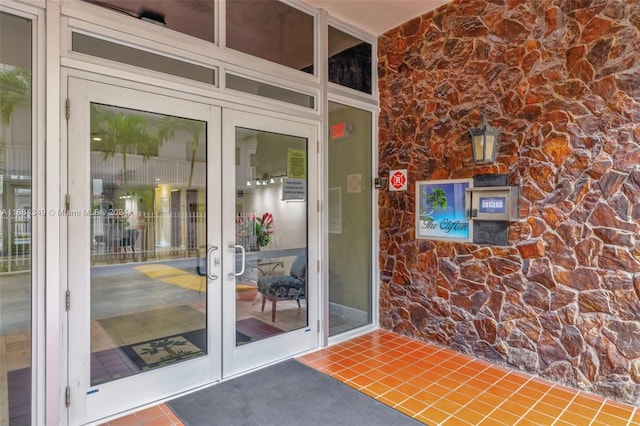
195,18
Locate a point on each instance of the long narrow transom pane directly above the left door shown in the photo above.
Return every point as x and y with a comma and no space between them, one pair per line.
128,55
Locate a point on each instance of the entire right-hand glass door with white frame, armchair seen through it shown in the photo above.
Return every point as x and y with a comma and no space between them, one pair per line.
270,249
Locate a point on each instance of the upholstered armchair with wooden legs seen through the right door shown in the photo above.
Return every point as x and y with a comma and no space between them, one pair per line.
276,288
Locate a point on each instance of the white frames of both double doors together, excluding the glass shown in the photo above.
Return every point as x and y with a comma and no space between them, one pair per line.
224,359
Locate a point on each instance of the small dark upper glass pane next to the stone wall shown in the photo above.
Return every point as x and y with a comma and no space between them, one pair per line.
349,61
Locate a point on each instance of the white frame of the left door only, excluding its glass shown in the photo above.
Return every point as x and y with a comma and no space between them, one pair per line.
89,403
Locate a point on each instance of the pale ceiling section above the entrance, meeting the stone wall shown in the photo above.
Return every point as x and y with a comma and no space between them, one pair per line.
376,16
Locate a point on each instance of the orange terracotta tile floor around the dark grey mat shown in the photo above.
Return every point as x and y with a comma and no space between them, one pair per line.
441,387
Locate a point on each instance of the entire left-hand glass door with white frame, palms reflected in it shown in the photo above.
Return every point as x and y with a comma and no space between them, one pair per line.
143,243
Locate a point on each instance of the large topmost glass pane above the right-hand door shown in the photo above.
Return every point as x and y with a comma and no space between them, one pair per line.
273,31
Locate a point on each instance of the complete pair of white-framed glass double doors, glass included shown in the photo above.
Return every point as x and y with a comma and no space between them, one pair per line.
189,245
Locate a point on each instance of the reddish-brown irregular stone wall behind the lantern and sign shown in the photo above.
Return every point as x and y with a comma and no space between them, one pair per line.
561,79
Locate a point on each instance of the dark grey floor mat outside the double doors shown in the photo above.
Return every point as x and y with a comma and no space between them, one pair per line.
288,393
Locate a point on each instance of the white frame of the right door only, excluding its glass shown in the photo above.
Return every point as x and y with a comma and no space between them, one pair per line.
238,359
